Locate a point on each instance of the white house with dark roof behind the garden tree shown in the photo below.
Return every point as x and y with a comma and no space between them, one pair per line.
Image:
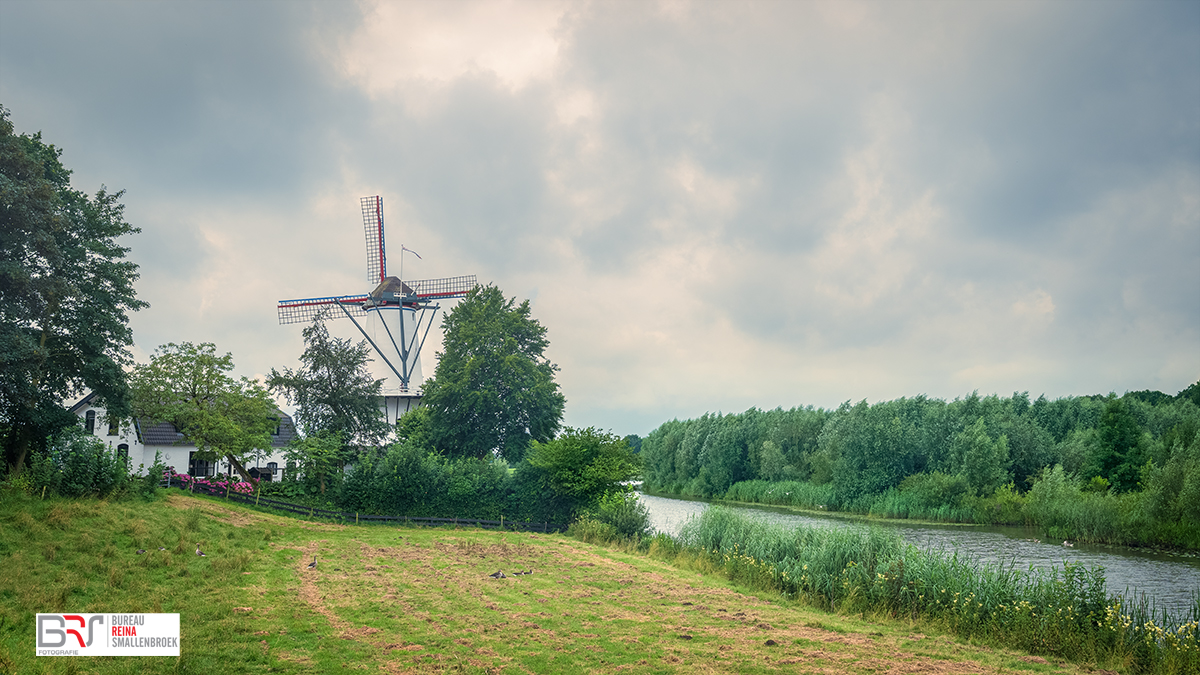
141,440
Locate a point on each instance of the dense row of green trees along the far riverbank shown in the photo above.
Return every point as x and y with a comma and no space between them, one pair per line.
1101,468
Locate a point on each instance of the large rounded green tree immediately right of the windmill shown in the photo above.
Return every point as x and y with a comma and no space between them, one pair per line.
494,390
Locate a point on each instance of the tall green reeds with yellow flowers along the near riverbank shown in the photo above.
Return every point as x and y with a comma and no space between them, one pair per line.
1065,612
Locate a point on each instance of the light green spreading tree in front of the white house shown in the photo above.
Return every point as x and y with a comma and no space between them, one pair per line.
189,386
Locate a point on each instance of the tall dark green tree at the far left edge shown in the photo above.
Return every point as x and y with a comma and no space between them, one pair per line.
65,292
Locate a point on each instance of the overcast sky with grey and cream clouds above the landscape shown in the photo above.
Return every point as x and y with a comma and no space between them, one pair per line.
711,206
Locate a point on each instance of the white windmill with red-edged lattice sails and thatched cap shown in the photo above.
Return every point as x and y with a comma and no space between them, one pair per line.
395,318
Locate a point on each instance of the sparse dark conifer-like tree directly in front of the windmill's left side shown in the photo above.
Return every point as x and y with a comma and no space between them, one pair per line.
333,390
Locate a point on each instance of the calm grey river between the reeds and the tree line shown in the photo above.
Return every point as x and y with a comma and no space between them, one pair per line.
1168,580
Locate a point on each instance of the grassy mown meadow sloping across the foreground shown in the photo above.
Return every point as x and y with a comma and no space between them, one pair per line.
415,600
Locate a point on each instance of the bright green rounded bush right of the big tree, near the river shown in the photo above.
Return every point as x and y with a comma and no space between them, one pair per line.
584,465
